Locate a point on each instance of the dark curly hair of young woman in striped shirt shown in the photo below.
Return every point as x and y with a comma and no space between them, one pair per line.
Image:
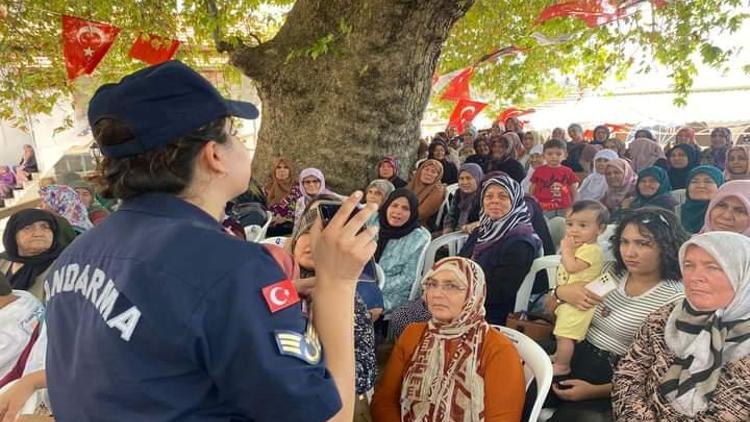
664,230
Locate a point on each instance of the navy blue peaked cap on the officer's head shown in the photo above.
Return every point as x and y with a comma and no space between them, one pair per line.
160,104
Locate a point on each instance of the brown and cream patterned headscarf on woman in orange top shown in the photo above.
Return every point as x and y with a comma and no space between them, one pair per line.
430,392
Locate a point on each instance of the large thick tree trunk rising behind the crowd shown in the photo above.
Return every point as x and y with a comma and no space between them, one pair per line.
359,101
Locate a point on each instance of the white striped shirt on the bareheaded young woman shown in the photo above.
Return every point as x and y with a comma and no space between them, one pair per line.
619,317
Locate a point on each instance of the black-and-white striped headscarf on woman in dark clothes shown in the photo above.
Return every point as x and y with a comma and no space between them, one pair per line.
516,221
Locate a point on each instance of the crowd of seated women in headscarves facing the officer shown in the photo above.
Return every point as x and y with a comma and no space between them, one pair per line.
669,343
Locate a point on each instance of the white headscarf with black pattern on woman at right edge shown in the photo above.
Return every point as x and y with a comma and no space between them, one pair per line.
703,342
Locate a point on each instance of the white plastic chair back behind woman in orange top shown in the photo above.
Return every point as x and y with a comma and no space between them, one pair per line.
536,366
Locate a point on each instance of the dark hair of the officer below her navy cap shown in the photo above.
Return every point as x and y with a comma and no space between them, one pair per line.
167,169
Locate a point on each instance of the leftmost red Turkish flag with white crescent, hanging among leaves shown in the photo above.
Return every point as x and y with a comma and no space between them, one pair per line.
85,44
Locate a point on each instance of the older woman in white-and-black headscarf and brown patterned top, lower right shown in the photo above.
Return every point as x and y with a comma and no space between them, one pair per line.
690,361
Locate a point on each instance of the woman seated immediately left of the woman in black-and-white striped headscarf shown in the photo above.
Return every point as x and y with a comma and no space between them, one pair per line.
466,200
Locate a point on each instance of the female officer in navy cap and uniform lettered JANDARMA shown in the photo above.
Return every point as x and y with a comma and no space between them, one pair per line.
156,314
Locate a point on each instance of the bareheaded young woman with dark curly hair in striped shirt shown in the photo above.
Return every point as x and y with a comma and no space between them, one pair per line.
646,272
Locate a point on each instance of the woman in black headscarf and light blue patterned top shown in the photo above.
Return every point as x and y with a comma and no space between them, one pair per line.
401,242
